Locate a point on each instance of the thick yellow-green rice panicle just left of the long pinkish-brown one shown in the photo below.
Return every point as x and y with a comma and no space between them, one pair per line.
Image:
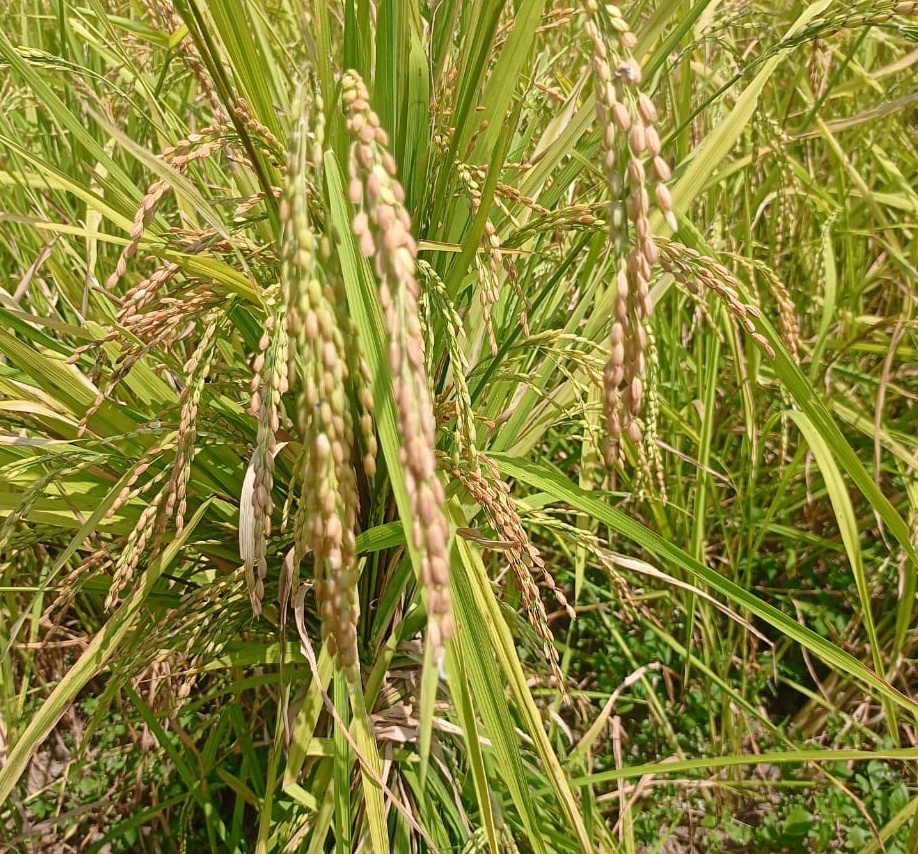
326,515
